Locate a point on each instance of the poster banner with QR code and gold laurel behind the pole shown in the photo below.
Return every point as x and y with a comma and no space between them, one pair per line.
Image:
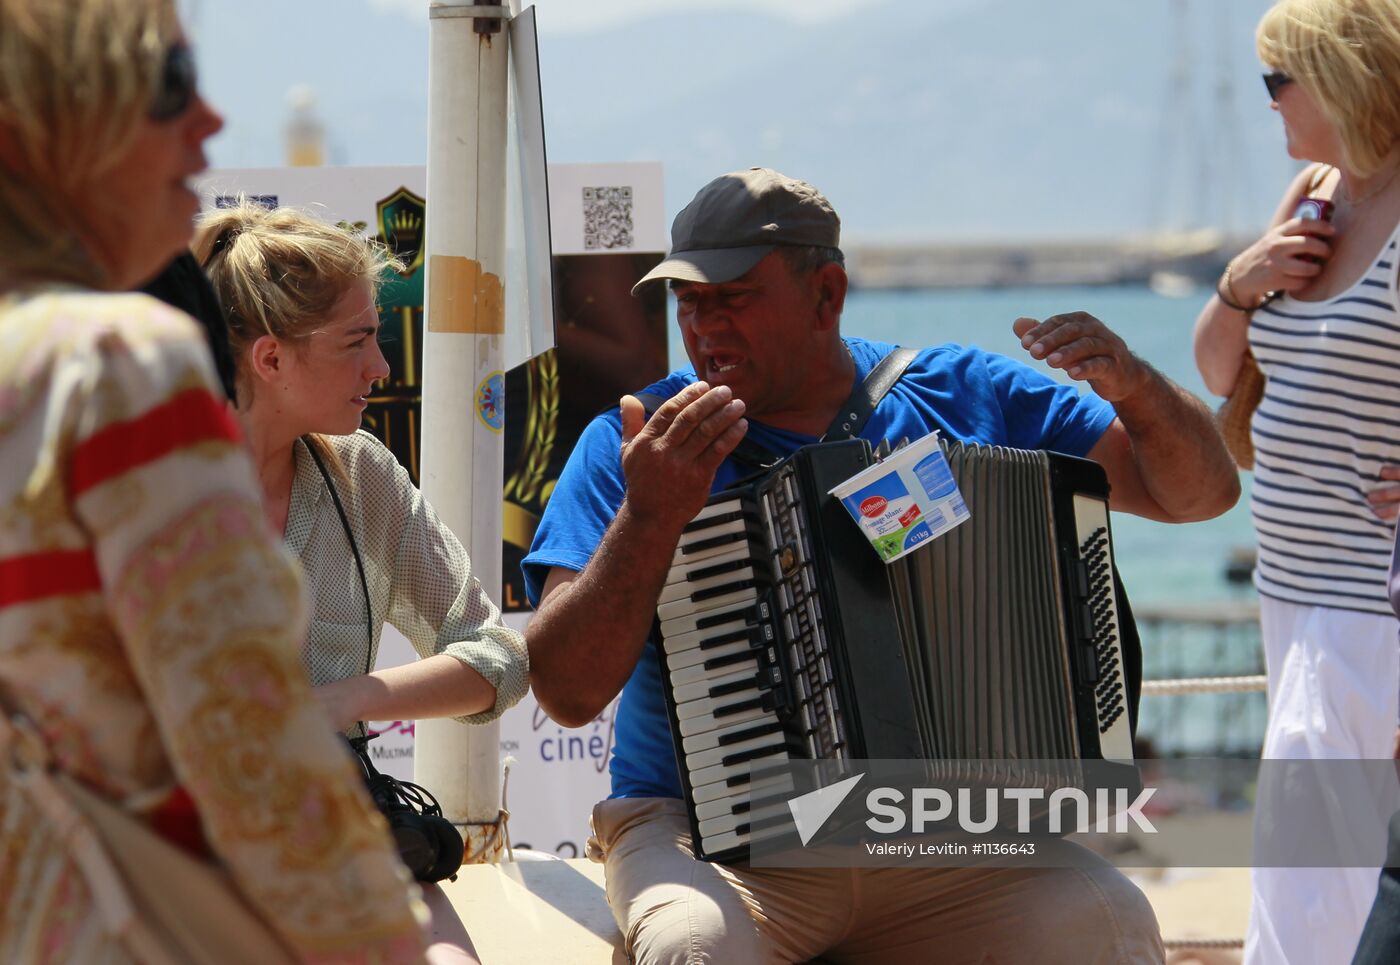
607,230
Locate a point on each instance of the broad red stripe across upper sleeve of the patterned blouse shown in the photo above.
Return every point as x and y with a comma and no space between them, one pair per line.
190,418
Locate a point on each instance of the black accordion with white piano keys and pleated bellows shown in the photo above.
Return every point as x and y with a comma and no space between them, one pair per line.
783,637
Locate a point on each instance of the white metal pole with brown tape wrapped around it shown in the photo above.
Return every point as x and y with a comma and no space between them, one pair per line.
464,384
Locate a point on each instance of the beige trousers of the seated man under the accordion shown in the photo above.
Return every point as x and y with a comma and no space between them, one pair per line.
674,910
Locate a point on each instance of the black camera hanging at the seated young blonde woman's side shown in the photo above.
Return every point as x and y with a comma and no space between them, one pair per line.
429,844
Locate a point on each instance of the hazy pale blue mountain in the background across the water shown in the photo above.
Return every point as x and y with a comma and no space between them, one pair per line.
919,120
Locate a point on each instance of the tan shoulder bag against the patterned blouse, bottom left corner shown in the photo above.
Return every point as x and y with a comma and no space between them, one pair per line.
162,904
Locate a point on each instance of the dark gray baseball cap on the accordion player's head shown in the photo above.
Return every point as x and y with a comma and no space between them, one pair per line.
737,219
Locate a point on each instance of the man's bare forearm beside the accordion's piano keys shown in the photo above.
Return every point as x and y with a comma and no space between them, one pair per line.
587,637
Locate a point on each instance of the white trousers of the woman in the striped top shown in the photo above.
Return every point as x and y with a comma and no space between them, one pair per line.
1333,683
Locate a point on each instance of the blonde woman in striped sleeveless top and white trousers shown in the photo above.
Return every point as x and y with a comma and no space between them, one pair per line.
1317,305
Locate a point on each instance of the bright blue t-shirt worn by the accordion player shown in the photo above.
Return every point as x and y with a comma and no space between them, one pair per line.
967,394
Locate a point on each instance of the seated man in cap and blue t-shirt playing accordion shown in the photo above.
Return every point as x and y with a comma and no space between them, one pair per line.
759,282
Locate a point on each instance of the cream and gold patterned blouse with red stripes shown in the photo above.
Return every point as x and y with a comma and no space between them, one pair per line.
150,627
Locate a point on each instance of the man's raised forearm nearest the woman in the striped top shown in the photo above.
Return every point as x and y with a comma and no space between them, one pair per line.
1179,454
